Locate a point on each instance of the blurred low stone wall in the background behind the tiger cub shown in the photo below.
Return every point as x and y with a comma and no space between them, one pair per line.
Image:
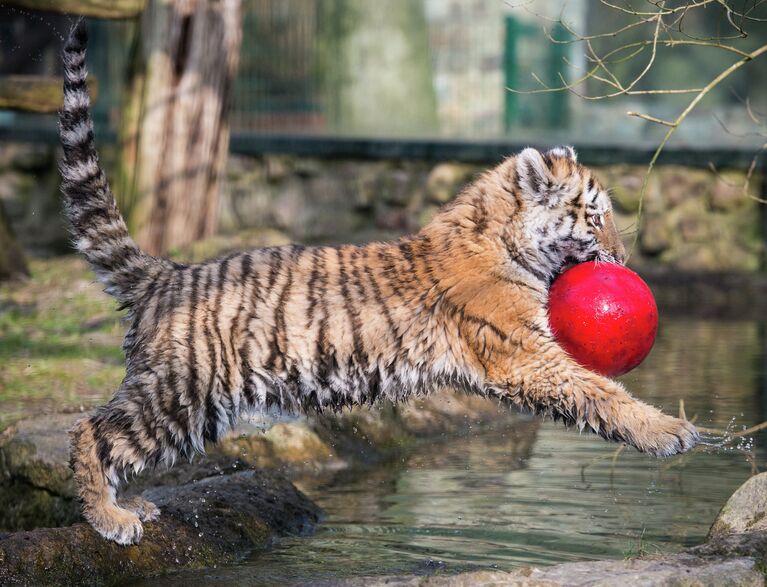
693,219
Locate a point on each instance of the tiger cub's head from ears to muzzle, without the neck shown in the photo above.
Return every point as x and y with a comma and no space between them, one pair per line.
565,214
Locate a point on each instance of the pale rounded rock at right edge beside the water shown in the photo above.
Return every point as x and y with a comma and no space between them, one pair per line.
745,511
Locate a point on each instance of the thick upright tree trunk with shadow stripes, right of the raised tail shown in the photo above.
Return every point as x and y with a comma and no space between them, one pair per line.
175,131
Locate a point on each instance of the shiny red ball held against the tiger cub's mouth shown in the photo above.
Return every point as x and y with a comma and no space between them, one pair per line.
604,316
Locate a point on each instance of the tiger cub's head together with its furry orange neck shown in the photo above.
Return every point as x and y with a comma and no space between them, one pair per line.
535,213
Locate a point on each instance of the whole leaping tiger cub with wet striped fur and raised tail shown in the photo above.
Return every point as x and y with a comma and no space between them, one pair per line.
462,303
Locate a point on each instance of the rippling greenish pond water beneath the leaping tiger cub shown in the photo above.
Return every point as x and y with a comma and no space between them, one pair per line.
537,494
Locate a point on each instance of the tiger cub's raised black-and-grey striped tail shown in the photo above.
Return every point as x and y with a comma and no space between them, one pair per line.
98,227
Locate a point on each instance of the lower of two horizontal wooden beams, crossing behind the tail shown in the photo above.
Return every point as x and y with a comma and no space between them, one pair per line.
32,93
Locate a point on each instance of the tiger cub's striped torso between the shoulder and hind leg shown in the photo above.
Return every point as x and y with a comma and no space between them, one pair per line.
292,327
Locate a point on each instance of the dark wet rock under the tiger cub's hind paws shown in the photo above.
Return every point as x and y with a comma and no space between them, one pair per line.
213,521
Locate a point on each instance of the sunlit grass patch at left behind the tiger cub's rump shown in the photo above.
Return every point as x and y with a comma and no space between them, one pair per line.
60,338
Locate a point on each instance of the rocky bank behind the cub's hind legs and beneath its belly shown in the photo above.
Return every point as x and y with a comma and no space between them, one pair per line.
36,486
